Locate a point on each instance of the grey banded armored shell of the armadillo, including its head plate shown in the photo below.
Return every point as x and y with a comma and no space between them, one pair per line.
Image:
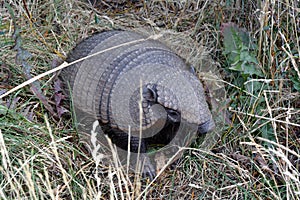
105,85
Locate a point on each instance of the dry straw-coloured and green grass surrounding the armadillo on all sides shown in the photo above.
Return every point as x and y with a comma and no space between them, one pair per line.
257,154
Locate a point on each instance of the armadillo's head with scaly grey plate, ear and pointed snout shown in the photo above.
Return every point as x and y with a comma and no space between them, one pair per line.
182,103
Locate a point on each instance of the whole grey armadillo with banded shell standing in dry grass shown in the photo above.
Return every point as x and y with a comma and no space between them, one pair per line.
136,84
